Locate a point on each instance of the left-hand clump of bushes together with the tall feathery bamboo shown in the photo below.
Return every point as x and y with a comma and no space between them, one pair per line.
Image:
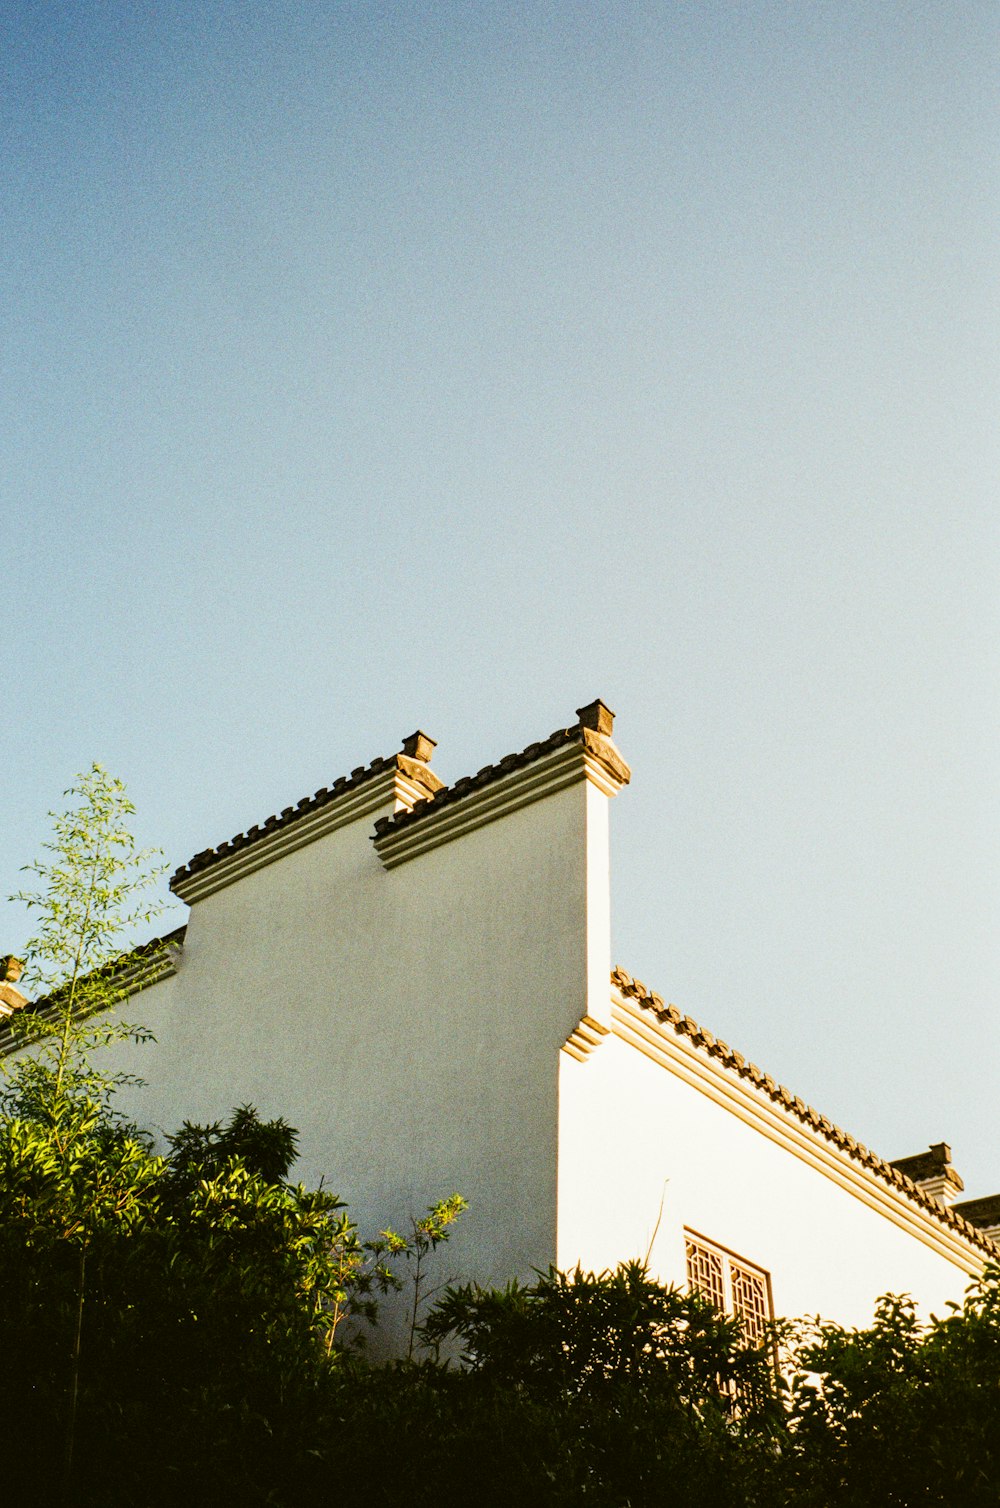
186,1304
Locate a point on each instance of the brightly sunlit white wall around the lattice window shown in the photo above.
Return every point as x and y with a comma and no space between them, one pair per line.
633,1133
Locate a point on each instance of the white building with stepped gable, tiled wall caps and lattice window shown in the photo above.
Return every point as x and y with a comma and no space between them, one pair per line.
419,976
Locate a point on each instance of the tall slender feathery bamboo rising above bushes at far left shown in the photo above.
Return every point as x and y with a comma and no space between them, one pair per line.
60,1136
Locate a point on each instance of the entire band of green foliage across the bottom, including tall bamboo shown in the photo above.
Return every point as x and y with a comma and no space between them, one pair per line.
174,1328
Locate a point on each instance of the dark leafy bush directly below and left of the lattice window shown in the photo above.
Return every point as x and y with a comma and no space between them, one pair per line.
604,1388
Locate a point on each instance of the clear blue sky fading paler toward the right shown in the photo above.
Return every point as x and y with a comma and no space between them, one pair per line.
376,366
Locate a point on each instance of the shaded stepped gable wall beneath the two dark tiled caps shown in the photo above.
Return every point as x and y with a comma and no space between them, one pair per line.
406,1022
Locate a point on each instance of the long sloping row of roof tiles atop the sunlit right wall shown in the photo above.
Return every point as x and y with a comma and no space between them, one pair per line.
686,1026
